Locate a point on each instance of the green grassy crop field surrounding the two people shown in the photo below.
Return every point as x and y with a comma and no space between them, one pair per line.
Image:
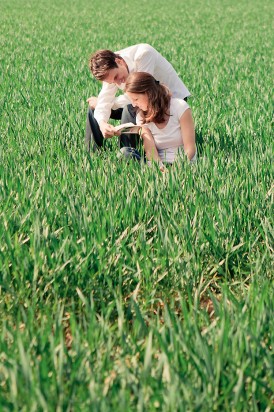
122,288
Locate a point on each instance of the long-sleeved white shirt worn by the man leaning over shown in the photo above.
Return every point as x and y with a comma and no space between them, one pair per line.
139,58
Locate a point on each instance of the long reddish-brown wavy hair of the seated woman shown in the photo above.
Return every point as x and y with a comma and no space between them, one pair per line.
158,95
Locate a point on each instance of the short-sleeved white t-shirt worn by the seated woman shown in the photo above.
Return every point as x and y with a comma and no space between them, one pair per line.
168,140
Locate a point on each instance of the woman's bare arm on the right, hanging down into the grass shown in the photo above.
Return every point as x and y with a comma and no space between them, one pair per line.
188,134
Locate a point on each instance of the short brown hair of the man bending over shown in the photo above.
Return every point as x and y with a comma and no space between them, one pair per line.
101,62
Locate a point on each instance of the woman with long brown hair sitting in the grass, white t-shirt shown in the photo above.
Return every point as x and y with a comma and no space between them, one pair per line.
167,124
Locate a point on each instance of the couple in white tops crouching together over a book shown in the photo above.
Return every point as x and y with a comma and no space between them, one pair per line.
154,99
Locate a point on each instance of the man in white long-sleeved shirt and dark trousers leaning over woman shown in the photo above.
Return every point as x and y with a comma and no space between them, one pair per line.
113,69
